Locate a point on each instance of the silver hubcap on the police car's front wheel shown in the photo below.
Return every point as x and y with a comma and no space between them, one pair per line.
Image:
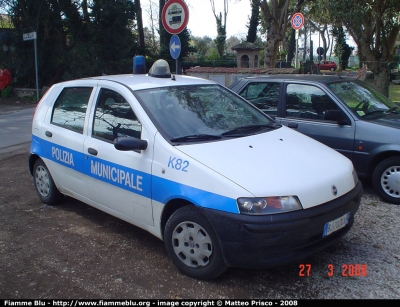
192,244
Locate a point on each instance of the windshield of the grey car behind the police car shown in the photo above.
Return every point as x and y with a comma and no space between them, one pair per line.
364,101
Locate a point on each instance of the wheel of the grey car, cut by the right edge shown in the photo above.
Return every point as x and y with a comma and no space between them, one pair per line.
386,180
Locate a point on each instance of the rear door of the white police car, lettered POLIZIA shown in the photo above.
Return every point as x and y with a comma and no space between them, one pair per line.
62,135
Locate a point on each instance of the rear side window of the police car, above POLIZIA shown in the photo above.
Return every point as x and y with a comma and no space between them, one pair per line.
70,108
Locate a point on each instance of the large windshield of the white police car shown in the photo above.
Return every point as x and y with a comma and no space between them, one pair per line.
200,113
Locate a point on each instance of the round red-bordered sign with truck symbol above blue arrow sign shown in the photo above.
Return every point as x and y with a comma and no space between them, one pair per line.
175,16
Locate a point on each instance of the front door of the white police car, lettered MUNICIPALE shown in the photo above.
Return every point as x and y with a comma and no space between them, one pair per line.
119,181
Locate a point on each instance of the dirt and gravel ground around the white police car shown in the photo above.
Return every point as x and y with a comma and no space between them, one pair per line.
75,251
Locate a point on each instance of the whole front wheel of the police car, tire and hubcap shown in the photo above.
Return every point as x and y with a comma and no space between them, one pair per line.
184,231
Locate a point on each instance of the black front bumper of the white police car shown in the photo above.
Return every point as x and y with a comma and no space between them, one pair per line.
273,240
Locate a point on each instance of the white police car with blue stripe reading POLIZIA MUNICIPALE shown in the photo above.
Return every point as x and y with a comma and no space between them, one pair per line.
194,164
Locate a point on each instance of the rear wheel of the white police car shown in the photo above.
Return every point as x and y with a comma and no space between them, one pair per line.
44,184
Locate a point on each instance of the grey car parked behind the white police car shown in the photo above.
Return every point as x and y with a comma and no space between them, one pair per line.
343,113
